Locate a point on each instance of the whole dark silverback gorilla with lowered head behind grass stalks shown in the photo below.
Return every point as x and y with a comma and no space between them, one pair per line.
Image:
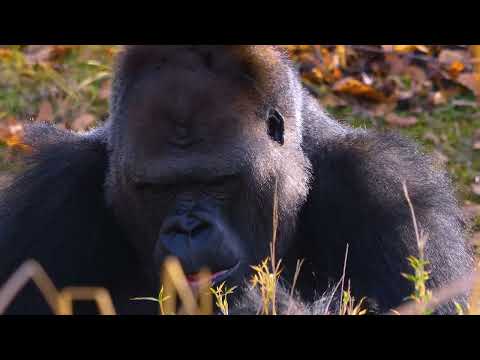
187,164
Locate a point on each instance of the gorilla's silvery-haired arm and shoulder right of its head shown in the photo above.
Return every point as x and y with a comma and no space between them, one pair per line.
357,199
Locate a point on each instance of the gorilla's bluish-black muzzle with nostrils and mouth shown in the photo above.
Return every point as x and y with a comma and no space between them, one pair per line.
198,235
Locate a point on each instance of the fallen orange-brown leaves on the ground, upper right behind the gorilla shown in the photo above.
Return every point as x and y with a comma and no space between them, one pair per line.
381,79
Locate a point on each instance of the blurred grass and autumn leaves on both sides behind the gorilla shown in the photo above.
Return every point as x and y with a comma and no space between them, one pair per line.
428,92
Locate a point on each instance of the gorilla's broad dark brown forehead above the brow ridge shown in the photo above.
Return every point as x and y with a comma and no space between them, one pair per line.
181,106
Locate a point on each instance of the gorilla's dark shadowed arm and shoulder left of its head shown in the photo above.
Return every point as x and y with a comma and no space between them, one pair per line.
55,213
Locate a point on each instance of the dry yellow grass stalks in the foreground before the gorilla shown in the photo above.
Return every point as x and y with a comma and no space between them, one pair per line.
265,278
